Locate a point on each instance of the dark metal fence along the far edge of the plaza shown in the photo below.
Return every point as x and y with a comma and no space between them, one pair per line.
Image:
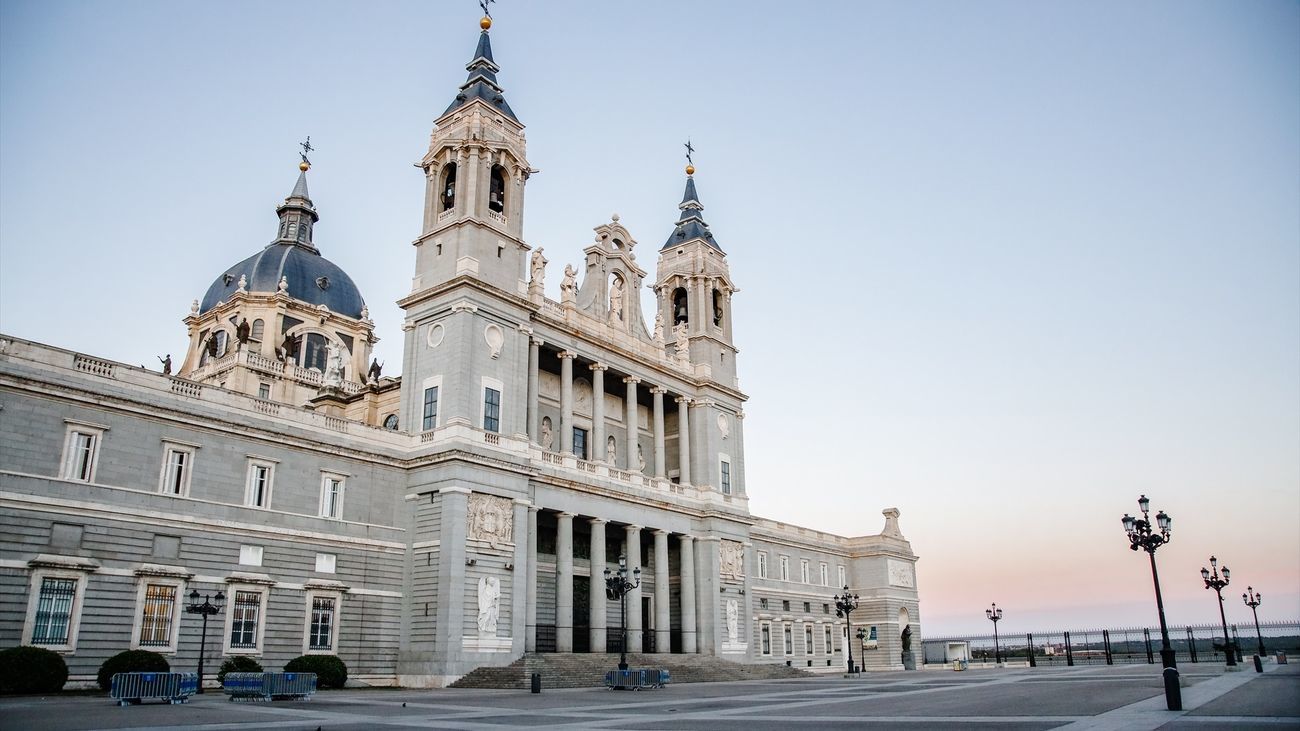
1191,643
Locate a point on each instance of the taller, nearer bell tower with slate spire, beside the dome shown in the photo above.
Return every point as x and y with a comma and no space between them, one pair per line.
475,176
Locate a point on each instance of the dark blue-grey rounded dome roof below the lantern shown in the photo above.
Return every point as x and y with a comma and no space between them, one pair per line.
311,279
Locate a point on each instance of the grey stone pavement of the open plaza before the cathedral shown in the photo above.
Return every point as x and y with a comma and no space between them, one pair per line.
1094,698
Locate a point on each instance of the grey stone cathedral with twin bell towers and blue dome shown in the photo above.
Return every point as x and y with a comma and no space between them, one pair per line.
456,516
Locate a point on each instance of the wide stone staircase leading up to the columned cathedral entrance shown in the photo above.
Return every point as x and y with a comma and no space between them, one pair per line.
588,671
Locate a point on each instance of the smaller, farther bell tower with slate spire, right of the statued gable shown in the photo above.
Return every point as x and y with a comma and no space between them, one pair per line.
695,289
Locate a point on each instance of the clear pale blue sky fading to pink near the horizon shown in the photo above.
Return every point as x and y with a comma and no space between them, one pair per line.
1004,266
